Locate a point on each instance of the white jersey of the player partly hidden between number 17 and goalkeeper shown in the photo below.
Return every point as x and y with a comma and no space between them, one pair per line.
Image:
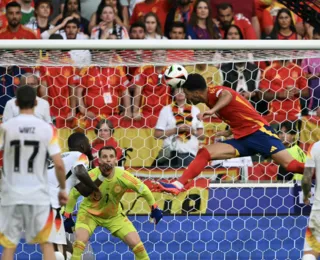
70,160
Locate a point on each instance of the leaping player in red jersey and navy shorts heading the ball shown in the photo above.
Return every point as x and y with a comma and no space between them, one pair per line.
252,133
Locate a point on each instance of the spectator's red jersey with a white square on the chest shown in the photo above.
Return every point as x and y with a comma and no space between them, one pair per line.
103,87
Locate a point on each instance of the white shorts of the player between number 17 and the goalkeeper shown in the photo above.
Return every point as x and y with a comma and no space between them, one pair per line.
58,234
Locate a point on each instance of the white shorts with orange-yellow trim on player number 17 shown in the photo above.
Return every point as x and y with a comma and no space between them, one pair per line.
36,220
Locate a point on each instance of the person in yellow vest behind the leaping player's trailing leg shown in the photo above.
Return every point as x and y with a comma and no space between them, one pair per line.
288,134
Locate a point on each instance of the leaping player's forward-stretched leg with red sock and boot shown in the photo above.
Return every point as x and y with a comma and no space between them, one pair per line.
217,151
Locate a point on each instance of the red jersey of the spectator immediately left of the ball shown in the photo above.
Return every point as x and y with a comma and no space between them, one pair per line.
155,93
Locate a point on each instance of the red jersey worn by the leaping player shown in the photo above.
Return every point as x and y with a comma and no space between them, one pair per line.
239,114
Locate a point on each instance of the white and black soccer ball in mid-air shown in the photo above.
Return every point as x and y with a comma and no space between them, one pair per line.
175,76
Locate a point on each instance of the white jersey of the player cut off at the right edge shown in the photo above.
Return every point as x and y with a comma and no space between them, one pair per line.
313,161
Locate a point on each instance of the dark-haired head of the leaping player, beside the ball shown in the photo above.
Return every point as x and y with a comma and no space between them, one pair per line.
195,89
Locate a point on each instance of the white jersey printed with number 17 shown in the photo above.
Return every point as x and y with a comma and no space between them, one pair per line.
27,141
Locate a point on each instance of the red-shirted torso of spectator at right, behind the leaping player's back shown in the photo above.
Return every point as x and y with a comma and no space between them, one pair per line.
283,83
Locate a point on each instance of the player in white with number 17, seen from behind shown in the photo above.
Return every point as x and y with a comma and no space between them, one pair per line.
25,204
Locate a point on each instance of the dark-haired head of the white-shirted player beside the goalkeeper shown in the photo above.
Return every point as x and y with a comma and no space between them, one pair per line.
80,143
